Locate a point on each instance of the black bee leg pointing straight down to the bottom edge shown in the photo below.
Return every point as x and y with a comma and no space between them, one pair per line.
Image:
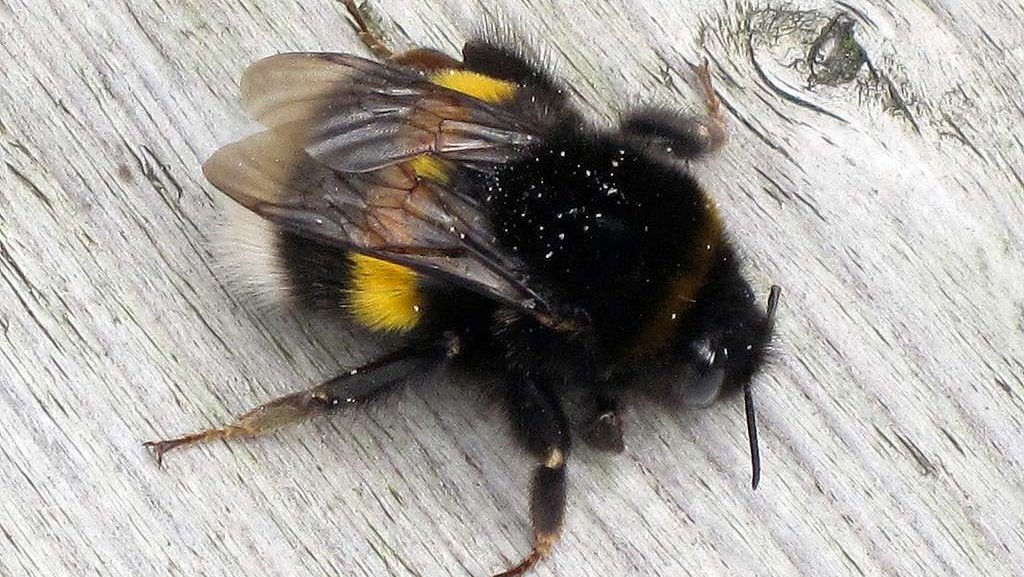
543,429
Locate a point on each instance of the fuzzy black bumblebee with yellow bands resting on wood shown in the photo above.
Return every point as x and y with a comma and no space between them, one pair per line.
467,207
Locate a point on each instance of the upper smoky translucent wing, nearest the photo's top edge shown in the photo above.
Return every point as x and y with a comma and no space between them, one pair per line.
356,115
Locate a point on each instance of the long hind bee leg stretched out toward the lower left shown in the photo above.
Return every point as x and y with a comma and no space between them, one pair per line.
357,386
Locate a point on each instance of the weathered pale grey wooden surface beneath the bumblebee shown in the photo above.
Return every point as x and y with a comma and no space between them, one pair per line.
888,201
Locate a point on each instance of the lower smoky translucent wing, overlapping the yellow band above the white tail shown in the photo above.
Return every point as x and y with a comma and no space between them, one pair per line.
387,214
